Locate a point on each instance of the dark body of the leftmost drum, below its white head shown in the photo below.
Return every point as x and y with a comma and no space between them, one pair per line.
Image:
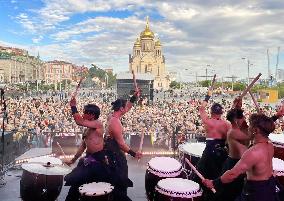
35,187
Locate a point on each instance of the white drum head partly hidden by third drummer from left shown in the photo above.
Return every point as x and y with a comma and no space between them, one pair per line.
193,149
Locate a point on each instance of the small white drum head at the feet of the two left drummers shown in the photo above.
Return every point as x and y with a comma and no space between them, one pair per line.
96,189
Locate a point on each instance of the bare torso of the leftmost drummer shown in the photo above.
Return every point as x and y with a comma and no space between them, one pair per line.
93,139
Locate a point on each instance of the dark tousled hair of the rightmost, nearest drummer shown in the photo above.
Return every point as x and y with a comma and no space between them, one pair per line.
263,123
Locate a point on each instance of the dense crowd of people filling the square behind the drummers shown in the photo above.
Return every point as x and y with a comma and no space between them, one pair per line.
36,119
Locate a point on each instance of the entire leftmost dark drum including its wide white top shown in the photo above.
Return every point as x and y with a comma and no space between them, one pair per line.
42,179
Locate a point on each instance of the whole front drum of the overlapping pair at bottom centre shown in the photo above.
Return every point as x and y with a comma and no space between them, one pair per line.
177,189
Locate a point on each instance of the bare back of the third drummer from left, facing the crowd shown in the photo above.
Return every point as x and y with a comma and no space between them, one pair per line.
216,129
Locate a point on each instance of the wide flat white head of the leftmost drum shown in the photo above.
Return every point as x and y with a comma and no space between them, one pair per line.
37,168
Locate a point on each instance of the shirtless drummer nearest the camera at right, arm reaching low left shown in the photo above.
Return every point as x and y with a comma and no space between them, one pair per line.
256,162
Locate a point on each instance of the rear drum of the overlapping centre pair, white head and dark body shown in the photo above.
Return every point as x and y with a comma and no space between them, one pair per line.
160,168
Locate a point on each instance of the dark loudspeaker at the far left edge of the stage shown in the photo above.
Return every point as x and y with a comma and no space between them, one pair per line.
9,155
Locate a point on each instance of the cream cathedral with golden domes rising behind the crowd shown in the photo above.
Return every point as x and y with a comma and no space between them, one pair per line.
147,57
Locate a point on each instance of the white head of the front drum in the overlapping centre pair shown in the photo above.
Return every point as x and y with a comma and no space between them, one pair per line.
178,187
